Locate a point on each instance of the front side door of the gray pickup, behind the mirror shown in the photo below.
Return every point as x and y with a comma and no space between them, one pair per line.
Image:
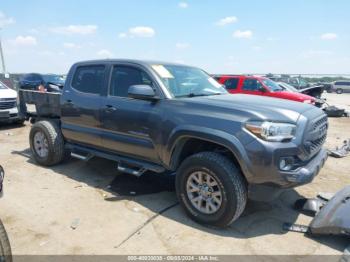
129,125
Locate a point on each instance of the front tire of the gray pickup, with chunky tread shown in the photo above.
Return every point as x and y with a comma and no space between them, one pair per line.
229,181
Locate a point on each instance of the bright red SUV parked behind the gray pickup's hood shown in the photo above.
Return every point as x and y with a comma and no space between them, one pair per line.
262,86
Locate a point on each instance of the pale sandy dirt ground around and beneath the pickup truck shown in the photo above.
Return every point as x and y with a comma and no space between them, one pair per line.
41,205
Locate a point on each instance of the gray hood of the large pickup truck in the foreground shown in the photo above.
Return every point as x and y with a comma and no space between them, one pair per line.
251,106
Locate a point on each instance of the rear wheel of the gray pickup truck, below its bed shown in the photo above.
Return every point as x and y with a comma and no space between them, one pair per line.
51,151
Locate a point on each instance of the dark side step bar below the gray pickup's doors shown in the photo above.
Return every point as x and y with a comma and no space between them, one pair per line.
125,164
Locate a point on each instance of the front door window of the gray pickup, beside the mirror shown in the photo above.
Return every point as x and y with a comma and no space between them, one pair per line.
123,77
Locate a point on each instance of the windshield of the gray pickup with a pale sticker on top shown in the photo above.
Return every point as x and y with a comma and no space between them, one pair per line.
184,81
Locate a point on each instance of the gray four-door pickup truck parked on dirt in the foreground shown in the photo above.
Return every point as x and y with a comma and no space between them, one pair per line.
154,116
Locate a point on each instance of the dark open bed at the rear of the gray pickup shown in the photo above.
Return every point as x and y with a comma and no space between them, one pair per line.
46,104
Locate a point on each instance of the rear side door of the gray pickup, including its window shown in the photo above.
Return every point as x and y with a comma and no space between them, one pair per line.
81,103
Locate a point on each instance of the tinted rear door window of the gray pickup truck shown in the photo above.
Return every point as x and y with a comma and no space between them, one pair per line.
89,79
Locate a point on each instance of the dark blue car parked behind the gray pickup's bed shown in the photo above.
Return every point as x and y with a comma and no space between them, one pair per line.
33,81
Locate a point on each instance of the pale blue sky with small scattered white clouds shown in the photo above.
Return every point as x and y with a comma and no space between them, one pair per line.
220,36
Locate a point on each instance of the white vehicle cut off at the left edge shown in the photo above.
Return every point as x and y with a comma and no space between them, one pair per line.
8,105
